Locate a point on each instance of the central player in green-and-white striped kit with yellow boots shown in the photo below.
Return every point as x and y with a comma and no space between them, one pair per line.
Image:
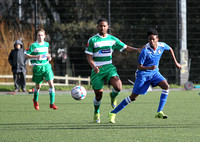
99,55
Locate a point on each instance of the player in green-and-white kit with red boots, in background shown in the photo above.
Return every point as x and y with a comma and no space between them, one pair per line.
39,56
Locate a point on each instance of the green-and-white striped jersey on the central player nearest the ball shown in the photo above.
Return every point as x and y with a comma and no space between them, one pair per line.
101,48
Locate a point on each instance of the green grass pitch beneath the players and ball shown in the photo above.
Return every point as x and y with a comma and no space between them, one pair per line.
73,121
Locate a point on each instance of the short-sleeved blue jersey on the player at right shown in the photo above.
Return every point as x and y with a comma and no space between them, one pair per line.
149,57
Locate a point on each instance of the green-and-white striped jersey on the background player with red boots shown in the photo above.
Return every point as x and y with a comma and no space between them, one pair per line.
37,49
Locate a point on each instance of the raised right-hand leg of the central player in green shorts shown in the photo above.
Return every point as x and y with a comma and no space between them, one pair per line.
117,87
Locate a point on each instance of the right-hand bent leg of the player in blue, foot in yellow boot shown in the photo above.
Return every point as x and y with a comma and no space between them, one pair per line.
162,83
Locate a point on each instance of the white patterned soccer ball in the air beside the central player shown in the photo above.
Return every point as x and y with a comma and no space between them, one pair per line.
78,93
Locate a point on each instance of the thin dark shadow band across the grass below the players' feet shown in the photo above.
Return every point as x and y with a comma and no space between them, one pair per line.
65,126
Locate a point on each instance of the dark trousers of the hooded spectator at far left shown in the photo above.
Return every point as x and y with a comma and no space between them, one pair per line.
19,80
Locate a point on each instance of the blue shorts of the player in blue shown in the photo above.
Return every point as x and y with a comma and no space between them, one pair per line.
142,83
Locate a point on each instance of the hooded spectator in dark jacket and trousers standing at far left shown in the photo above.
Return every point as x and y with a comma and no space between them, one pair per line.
18,62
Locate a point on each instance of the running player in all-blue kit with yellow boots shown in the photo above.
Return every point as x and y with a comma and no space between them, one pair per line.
148,74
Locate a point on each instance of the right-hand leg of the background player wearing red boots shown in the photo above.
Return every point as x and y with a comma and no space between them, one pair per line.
52,94
